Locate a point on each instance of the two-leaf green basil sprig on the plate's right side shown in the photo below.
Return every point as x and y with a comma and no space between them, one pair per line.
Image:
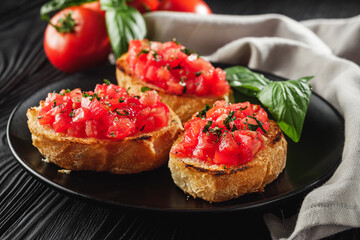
287,101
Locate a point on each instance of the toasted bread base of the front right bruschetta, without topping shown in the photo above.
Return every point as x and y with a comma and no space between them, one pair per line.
216,183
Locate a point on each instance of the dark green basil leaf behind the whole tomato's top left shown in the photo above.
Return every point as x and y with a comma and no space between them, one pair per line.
56,5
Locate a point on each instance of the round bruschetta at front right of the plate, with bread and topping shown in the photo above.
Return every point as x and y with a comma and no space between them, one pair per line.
226,151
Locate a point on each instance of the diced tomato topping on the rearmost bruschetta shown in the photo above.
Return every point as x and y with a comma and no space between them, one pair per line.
175,69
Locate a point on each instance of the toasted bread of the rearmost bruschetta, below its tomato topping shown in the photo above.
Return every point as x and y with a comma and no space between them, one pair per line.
184,106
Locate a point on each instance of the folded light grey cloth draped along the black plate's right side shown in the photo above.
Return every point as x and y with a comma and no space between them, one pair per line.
280,45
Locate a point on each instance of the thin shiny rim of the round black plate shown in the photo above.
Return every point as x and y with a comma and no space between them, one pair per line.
218,209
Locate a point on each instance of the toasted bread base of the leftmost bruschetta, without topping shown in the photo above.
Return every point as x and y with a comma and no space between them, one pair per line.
130,155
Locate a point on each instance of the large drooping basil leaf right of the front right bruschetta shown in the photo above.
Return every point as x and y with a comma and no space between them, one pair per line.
288,102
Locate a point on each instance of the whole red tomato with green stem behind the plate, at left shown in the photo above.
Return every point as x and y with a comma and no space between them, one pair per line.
87,45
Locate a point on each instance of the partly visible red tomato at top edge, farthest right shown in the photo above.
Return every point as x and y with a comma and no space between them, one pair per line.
195,6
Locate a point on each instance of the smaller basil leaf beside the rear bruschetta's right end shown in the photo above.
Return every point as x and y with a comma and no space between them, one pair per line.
245,81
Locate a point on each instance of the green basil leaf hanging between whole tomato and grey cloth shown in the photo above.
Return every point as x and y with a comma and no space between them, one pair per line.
123,25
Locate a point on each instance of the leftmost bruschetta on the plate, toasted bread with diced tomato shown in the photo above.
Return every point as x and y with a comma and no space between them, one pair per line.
107,129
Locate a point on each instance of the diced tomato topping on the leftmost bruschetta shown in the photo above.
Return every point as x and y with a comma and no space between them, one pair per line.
108,112
